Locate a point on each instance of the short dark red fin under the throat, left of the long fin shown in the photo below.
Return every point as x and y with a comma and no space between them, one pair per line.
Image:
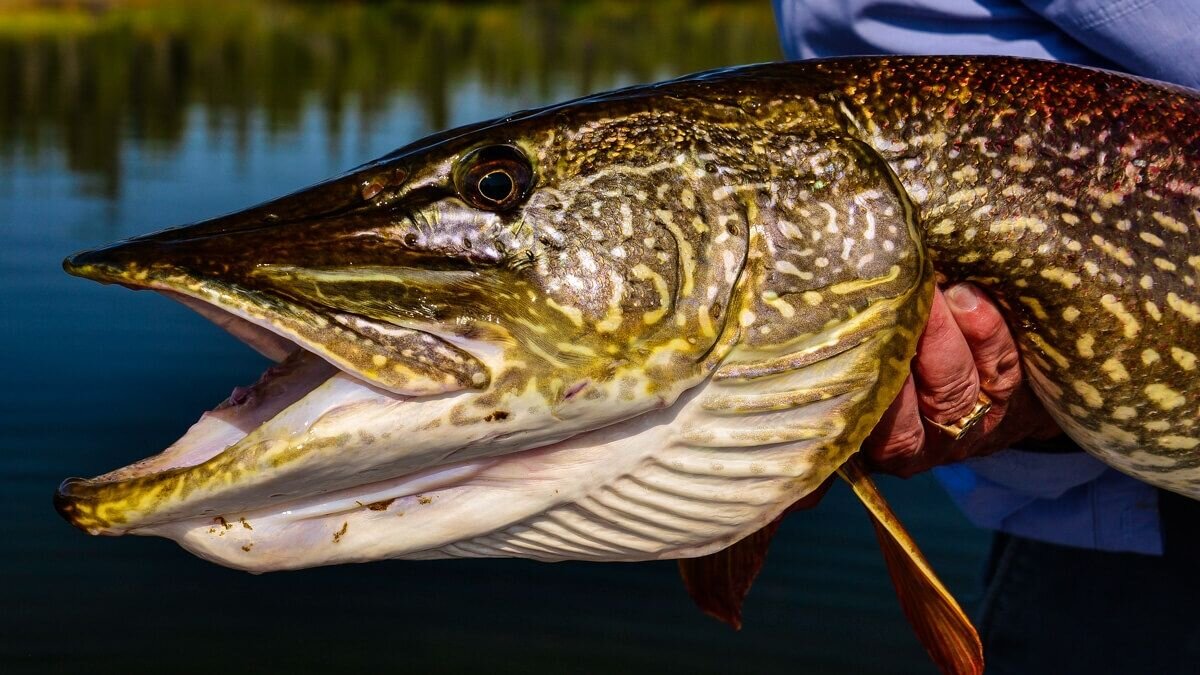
719,583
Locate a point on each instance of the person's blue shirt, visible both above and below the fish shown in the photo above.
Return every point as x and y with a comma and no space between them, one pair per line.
1069,499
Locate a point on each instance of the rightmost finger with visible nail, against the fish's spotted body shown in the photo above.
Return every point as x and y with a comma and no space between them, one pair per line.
988,338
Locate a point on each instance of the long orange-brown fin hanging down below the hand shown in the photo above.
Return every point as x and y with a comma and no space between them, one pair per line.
940,624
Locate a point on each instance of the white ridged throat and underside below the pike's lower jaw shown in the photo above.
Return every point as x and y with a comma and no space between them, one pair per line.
634,491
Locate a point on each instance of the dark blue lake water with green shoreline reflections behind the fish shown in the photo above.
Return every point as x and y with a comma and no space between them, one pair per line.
118,123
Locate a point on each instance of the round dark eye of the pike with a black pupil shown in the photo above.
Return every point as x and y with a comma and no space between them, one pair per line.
494,178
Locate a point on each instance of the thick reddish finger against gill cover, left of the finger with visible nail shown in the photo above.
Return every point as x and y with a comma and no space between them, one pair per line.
947,381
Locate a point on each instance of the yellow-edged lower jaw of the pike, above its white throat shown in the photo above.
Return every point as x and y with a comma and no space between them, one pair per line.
310,431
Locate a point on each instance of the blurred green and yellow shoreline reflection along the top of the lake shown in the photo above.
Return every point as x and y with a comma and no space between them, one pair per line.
86,81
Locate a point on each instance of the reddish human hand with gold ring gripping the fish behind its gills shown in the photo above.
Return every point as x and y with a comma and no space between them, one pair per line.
967,349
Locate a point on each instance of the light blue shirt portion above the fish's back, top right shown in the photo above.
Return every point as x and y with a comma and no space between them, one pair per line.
1156,39
